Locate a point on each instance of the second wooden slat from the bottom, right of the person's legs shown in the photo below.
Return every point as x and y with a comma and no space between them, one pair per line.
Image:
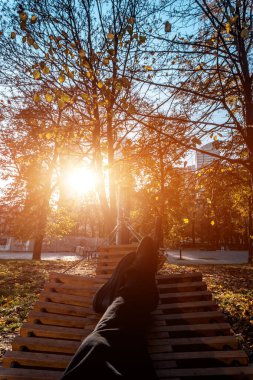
227,357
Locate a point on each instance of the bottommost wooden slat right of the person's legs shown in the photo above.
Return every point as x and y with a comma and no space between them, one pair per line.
206,372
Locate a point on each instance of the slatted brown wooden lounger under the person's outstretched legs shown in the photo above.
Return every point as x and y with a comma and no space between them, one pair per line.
188,336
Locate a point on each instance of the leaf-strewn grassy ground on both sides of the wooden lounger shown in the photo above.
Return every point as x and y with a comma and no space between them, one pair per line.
21,282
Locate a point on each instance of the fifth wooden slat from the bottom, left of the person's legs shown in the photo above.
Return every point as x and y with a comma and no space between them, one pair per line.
58,320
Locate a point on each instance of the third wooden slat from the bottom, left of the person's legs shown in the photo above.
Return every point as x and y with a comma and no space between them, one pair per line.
45,345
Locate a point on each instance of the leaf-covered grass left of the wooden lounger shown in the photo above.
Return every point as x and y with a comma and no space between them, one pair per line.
21,282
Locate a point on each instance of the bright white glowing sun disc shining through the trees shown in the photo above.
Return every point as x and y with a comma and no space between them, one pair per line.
80,181
